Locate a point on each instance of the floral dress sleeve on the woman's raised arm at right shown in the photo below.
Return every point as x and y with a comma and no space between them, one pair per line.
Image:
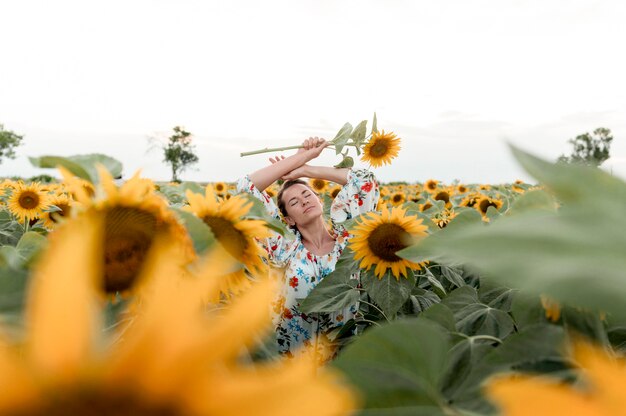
359,195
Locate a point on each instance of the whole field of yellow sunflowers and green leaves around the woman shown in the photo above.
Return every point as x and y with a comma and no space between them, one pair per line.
150,298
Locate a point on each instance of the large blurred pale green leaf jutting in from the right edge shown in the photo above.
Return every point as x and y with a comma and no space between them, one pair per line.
550,253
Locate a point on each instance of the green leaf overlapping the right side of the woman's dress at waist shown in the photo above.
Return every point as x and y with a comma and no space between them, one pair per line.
335,291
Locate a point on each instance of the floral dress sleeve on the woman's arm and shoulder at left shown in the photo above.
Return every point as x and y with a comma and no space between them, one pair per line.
277,247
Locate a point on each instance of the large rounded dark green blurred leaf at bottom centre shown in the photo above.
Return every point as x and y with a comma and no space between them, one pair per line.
397,366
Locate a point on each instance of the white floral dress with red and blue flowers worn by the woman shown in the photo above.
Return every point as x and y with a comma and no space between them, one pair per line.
303,269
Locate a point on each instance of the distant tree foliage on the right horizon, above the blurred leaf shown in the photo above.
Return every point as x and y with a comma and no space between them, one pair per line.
590,149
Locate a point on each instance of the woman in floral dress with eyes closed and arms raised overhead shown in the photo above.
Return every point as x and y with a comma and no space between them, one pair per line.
313,252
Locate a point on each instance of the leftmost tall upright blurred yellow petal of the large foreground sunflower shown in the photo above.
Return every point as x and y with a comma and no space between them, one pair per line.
62,306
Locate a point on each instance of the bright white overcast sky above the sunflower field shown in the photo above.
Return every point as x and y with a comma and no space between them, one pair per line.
456,80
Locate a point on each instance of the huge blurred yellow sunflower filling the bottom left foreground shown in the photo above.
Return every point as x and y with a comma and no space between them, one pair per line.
176,358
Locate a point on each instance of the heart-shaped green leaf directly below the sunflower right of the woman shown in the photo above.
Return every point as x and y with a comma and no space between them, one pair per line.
388,293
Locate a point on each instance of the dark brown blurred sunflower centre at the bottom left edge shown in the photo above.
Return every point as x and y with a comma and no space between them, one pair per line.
96,403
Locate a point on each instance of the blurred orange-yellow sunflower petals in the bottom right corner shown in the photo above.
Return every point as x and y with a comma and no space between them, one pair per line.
600,393
